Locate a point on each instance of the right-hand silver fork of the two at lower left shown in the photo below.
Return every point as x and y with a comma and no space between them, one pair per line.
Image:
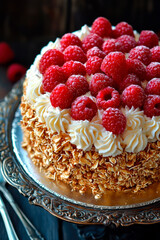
30,229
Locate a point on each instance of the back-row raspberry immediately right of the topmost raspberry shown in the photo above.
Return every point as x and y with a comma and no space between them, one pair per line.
123,28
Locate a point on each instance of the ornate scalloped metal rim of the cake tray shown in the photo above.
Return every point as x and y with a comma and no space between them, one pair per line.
59,207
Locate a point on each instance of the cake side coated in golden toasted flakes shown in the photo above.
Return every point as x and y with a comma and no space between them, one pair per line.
83,171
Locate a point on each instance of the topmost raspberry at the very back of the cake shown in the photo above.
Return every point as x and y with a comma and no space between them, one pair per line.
102,27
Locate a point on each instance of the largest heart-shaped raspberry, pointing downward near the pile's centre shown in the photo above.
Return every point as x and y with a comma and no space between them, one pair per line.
114,64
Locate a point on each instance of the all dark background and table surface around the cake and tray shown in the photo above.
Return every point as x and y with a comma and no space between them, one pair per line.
28,25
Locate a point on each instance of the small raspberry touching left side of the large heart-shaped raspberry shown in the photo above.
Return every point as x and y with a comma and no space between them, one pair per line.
93,65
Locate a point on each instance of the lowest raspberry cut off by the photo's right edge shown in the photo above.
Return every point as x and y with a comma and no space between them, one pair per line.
152,106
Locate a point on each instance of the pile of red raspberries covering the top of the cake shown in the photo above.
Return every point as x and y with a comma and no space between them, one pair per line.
118,67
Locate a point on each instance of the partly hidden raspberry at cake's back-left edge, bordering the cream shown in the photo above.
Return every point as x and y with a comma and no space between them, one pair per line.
69,39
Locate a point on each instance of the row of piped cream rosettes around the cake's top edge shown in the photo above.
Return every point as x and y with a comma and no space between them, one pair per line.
84,134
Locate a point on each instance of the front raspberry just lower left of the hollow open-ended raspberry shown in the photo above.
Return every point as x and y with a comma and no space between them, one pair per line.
83,108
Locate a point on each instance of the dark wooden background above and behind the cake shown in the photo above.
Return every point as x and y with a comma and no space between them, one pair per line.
29,24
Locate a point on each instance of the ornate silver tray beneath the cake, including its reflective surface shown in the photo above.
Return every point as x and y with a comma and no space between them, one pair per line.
57,198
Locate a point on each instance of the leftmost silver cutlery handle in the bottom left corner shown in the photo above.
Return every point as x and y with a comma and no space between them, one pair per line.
7,222
